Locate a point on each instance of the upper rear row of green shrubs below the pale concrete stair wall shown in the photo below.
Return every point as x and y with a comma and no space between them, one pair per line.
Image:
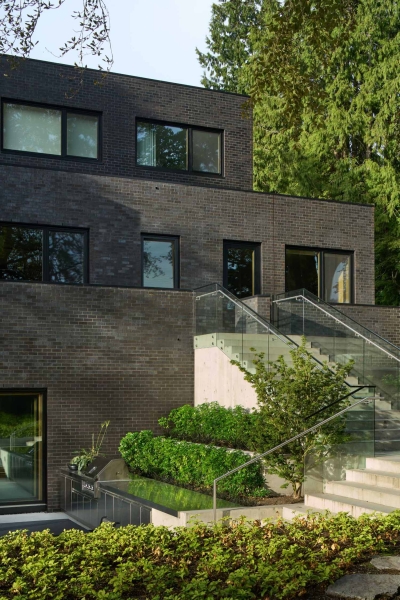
211,423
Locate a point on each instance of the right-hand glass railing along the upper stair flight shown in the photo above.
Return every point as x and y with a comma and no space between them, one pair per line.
340,338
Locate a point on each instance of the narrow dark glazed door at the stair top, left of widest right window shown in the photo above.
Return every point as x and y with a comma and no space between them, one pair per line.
242,268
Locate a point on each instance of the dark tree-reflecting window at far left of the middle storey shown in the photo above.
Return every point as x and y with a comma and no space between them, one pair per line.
51,254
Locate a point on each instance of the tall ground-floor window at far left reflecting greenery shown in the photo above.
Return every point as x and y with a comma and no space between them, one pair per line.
21,447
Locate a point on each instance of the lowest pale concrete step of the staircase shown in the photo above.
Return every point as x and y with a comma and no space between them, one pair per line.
336,504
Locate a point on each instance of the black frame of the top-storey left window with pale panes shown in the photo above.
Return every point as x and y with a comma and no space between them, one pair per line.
65,110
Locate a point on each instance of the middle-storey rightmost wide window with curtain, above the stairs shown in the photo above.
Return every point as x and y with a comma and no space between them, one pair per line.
325,273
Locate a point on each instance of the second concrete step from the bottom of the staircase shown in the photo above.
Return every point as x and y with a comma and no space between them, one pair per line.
364,492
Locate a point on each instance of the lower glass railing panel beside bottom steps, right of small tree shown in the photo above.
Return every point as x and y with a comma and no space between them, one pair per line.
328,465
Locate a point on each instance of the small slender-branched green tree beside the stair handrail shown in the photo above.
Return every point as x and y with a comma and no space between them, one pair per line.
288,396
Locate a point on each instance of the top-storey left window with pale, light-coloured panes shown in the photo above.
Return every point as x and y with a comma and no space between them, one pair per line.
51,131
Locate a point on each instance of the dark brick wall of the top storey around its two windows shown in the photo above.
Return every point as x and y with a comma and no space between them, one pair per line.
121,99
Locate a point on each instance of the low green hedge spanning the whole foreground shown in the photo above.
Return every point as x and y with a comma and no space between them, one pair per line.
239,561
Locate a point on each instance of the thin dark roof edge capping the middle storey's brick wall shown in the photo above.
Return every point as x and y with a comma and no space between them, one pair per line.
163,181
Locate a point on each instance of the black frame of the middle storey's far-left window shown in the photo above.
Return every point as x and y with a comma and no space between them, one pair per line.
45,251
